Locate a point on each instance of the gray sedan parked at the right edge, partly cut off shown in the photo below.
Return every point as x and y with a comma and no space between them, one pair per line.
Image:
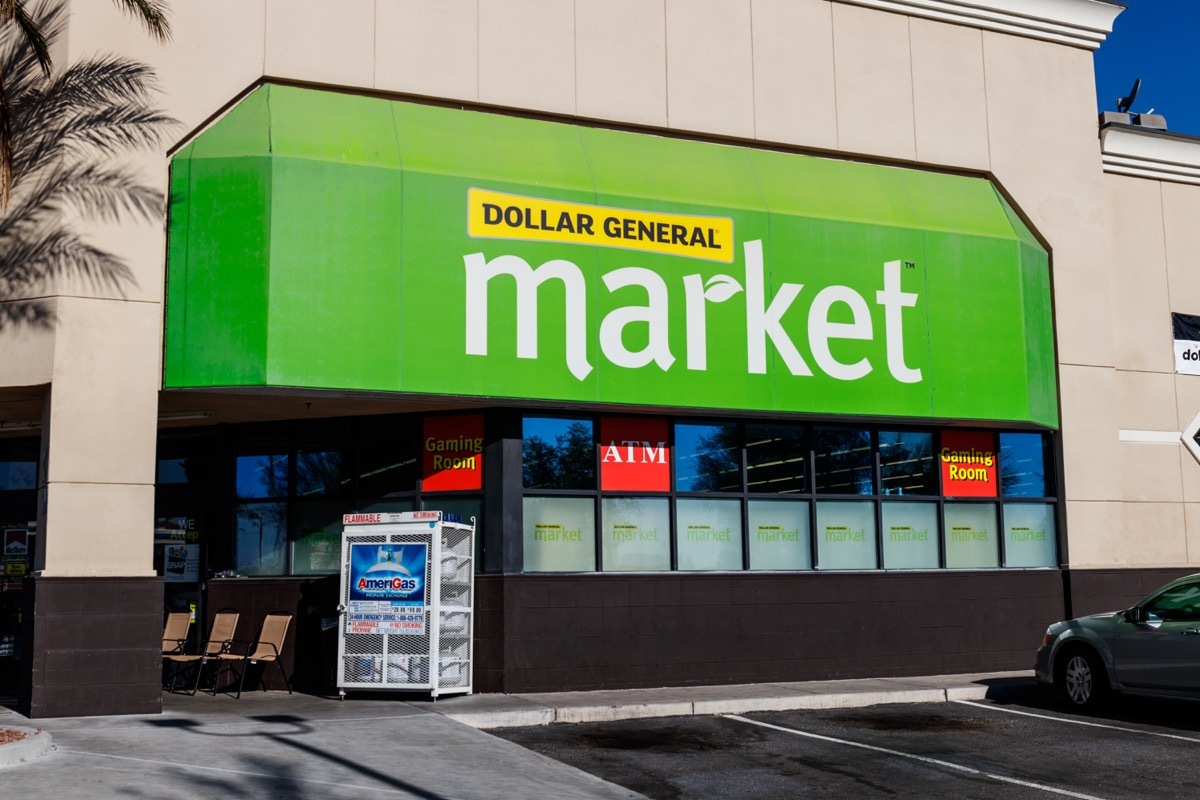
1153,648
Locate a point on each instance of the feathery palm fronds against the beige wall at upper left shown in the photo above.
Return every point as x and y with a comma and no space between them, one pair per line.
69,129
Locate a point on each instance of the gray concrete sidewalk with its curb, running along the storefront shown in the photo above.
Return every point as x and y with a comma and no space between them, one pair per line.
275,745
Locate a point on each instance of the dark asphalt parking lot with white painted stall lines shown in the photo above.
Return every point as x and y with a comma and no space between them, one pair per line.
1025,744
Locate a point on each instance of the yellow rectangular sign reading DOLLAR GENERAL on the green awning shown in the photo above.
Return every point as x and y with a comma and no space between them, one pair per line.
495,215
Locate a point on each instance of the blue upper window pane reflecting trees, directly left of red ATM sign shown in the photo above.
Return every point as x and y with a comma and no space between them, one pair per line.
559,454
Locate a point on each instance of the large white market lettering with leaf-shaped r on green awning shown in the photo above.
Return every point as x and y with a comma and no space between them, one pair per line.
764,317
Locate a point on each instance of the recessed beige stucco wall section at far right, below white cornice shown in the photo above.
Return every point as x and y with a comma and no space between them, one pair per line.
1153,240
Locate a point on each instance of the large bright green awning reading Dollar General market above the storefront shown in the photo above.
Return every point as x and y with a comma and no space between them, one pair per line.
383,246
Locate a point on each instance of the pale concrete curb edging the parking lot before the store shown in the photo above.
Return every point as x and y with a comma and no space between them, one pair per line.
577,714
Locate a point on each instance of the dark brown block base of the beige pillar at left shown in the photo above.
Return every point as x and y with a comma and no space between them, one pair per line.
94,645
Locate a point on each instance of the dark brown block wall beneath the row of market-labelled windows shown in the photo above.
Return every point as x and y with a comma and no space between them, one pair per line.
584,633
